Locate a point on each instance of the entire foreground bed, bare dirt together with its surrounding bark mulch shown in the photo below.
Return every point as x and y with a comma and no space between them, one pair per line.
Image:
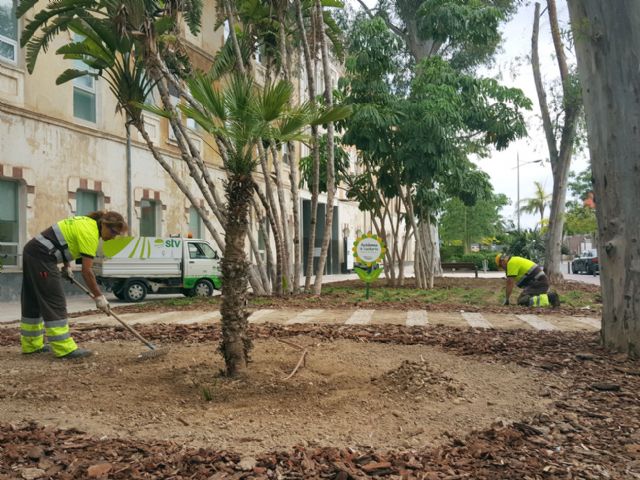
384,400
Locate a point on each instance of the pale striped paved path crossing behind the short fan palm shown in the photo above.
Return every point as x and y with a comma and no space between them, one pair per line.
415,318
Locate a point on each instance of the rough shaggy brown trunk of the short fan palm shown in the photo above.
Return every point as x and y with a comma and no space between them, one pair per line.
235,344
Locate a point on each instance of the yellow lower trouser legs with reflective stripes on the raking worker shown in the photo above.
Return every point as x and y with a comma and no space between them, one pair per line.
57,332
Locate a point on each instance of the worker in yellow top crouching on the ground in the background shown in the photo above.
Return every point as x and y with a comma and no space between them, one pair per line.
531,278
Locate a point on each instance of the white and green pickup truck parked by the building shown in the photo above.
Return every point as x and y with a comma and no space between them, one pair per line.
131,267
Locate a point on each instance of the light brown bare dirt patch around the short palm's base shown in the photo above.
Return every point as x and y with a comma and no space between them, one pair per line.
350,394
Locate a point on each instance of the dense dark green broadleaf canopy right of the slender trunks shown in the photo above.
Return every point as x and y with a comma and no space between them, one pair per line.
420,138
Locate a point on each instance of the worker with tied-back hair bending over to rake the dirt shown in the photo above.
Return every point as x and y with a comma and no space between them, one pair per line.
44,308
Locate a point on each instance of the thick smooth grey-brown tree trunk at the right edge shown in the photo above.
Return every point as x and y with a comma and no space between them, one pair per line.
608,50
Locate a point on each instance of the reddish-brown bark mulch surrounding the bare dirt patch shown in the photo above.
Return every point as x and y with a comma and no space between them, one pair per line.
592,431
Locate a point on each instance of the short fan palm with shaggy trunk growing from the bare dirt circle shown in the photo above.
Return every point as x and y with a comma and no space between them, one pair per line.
243,116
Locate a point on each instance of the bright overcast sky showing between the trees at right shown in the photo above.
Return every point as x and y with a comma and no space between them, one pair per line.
501,166
